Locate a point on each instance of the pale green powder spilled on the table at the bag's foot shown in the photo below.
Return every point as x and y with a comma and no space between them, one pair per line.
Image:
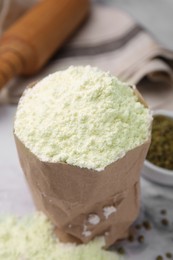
32,238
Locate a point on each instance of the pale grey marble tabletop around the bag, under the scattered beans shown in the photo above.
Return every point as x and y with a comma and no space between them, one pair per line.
15,197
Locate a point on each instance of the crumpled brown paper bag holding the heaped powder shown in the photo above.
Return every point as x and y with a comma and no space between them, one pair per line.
70,196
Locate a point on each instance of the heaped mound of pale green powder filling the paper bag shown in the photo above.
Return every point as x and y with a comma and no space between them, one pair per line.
82,116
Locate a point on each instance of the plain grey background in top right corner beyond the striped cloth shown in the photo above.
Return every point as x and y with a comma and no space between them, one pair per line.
155,15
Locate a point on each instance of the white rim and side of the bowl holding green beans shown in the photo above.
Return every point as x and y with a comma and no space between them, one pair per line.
153,172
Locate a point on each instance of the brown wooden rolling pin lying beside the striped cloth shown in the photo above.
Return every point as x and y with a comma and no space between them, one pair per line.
30,42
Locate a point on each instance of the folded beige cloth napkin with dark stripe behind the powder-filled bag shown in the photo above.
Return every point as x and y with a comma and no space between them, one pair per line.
109,39
